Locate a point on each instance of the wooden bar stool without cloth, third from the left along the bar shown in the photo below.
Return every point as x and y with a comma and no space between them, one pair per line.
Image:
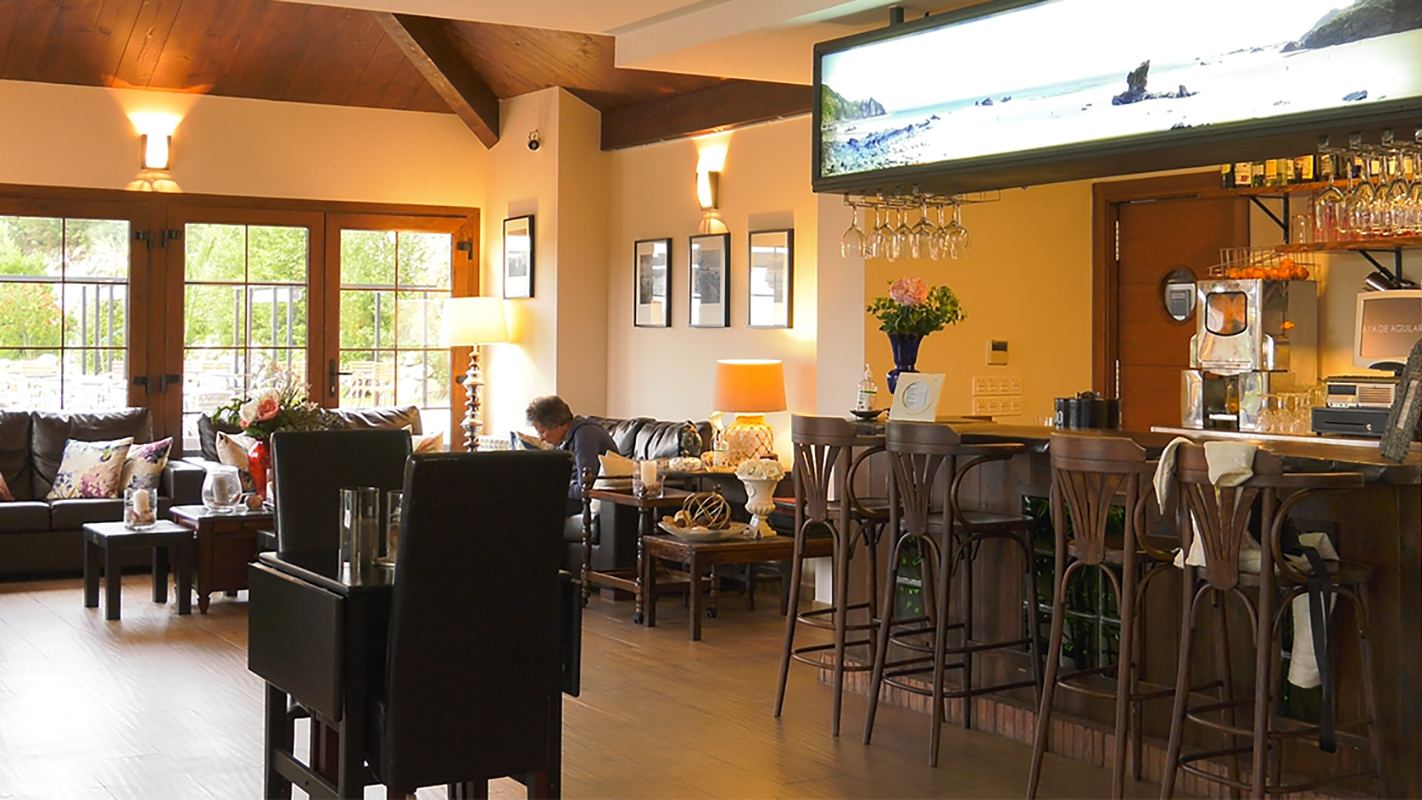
1091,475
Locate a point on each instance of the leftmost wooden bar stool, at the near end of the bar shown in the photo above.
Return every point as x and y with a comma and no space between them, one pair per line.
825,470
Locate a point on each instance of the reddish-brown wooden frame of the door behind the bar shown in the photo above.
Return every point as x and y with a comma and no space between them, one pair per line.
1106,291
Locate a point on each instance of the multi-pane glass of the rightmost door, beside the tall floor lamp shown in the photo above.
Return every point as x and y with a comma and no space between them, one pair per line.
393,286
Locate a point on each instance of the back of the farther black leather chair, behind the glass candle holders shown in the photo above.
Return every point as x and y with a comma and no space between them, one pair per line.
312,467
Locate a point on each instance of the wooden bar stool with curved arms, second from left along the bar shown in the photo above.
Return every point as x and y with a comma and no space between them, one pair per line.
924,458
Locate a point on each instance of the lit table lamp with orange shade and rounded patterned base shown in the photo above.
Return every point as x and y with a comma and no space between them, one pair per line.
750,389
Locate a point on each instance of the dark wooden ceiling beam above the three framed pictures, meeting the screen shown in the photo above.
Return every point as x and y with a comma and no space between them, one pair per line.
722,107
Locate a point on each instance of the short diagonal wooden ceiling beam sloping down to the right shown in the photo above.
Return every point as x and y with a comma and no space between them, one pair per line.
427,45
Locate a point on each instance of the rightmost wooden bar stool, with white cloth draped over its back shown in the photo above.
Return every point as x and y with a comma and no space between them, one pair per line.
1221,519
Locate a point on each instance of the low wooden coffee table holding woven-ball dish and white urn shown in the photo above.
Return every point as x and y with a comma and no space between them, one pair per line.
699,556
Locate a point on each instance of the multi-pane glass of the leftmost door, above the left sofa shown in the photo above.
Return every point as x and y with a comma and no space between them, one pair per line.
65,313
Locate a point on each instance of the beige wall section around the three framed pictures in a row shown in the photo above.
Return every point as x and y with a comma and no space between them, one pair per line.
670,373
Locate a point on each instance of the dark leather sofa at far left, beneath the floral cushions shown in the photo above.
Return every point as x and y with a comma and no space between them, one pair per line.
41,536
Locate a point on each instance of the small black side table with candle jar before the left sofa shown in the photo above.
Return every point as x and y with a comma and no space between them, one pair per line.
105,544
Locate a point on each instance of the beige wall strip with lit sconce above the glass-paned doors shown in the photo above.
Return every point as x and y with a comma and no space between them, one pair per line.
60,136
